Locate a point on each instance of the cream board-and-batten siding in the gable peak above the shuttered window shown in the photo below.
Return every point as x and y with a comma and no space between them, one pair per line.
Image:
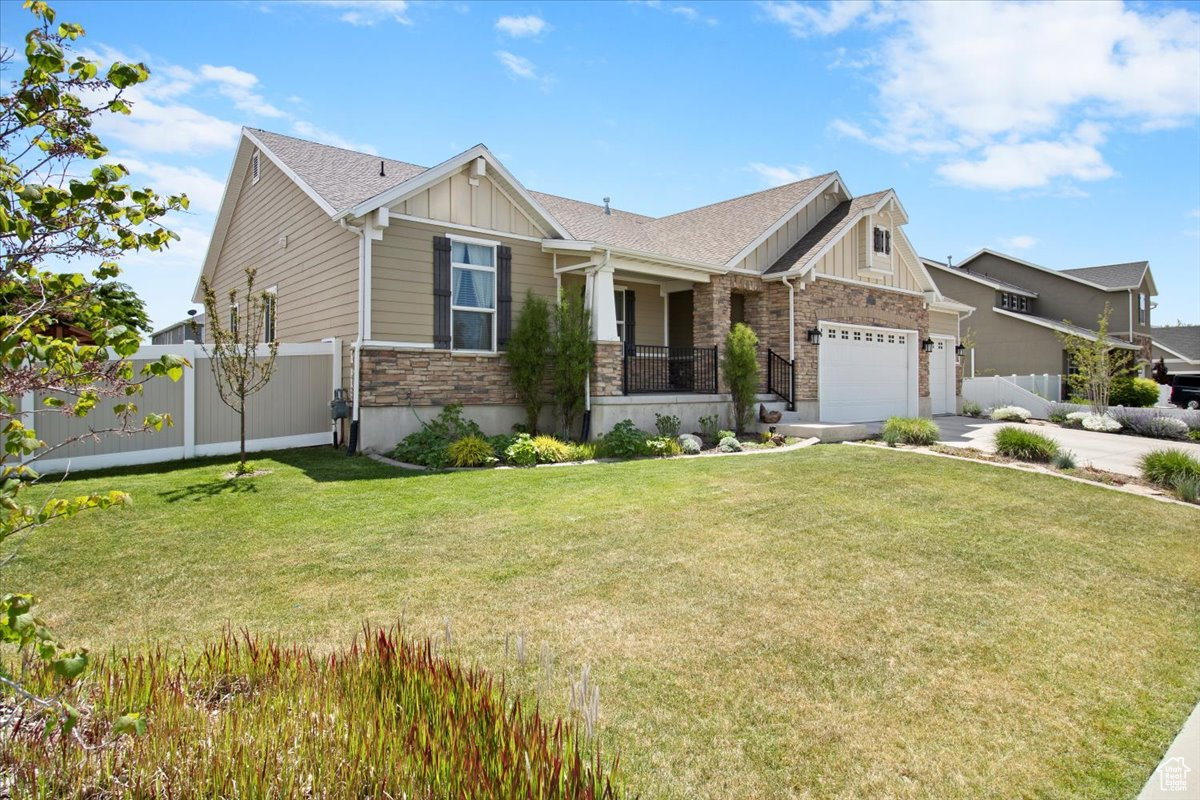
484,206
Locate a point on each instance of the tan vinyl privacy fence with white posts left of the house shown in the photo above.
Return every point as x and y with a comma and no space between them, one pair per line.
291,412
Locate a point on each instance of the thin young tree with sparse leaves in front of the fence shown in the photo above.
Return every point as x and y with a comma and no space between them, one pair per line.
239,366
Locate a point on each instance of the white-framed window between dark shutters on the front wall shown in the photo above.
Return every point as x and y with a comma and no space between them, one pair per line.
472,296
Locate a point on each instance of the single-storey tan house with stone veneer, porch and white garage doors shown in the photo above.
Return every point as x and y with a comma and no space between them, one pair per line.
419,273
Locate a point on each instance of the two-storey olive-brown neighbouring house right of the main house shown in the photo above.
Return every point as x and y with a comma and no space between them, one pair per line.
1023,309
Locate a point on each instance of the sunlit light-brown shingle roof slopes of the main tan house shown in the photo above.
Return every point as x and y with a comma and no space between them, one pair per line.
711,234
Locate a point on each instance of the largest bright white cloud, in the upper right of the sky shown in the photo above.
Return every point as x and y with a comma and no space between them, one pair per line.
989,87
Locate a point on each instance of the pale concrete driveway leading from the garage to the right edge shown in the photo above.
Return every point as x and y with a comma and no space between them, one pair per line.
1109,452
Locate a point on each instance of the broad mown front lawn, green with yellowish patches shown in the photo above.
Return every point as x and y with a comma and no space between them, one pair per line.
835,622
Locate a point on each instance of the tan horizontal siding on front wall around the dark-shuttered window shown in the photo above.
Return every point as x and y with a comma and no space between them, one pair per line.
403,279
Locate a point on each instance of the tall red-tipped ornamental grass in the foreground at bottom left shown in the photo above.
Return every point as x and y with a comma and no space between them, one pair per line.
255,719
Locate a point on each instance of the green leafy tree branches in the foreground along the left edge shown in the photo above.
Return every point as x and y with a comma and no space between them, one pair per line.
65,338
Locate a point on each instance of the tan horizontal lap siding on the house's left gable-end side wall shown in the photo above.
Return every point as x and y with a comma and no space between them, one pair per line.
315,269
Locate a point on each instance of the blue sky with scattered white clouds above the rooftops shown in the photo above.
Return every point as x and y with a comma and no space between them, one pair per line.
1067,135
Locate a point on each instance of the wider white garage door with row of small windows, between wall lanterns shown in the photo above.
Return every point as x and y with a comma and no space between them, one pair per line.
865,374
